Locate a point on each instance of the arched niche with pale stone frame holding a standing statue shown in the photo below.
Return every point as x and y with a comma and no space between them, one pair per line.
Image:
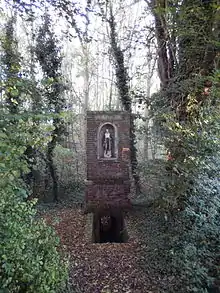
107,142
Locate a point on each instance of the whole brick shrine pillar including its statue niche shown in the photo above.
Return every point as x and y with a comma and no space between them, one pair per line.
108,166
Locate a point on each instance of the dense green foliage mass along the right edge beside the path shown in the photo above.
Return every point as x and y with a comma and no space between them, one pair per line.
191,194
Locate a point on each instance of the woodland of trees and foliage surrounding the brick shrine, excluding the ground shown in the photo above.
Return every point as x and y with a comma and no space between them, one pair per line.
158,60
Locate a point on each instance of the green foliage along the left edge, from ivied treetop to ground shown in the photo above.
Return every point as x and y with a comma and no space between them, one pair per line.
30,260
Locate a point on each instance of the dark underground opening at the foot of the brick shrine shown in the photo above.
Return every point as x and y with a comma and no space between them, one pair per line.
109,227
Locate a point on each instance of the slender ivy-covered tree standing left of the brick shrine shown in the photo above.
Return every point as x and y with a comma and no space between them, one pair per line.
49,57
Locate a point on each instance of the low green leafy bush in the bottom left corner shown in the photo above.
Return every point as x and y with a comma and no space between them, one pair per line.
29,258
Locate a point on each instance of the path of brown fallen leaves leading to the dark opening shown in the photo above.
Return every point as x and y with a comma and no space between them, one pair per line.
99,268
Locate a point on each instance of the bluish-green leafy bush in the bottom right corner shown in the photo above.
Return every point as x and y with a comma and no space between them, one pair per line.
197,250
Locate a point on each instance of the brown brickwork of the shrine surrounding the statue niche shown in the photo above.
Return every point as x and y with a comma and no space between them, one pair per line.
108,182
